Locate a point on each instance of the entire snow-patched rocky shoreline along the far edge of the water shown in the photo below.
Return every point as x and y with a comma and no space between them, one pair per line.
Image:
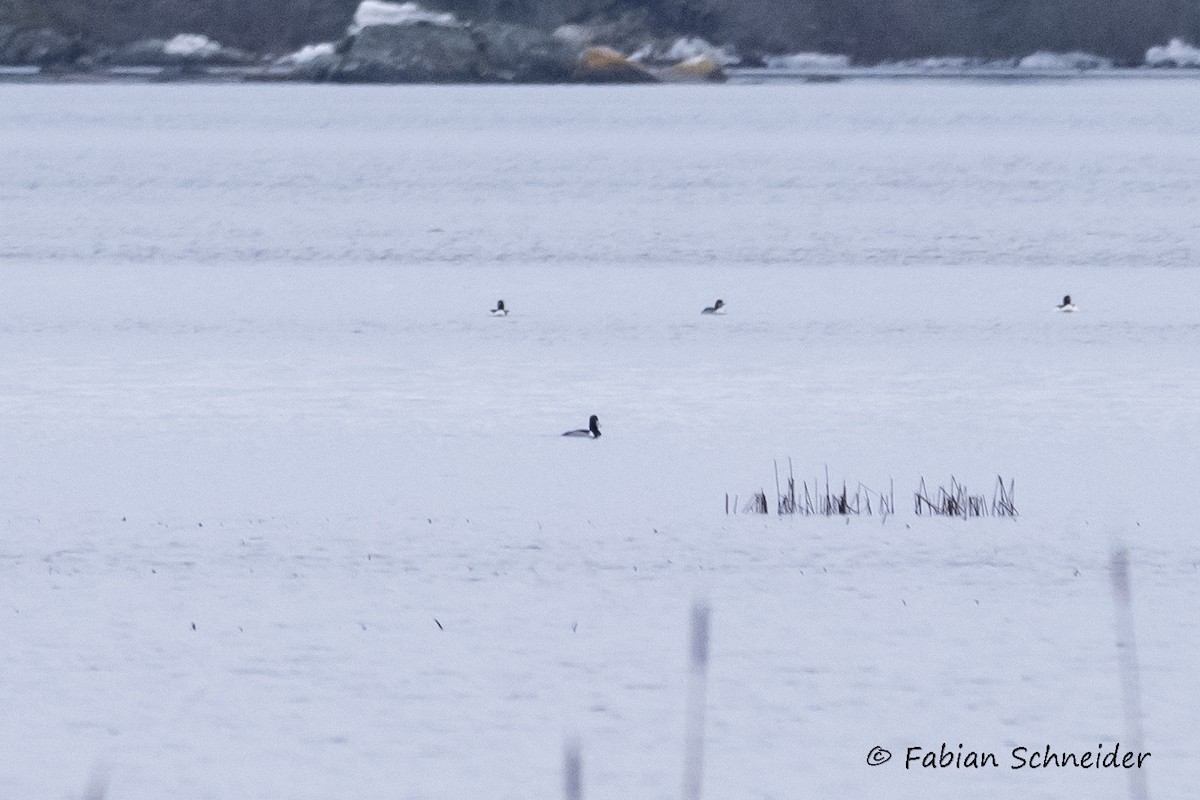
404,43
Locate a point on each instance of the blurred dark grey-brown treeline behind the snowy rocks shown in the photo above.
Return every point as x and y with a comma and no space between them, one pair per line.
868,31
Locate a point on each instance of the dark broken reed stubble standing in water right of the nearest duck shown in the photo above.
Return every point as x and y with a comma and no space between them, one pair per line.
827,500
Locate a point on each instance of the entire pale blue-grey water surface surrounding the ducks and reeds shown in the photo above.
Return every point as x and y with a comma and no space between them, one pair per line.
285,514
